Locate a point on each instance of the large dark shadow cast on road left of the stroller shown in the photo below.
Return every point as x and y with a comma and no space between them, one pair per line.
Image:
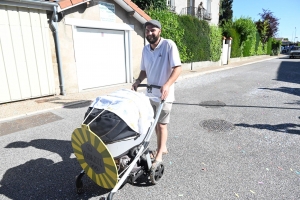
43,179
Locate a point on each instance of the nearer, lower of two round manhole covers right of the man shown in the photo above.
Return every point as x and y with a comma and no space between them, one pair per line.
216,125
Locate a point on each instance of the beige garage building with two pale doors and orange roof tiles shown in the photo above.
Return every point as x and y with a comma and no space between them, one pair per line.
68,46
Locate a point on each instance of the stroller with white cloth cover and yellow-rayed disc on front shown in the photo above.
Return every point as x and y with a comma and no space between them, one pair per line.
112,145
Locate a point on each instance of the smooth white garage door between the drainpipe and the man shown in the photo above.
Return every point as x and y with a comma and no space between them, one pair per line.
100,57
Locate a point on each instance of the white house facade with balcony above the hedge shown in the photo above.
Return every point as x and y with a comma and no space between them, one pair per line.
209,9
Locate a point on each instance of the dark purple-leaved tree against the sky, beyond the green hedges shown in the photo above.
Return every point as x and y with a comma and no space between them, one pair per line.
271,29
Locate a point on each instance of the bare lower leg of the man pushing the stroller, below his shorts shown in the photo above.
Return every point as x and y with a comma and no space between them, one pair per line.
162,136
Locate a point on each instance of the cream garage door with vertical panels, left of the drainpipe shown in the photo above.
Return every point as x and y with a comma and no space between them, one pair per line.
26,69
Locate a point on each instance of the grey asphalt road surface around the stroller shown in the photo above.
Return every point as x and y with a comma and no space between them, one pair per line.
234,134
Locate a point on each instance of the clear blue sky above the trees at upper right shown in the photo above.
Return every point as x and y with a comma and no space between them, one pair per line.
287,11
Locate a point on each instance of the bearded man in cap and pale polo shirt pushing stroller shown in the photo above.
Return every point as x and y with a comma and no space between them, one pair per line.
161,66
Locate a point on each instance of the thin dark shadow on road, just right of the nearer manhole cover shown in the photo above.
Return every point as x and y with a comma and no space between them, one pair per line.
284,128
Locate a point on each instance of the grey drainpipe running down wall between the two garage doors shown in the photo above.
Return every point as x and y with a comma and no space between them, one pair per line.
57,49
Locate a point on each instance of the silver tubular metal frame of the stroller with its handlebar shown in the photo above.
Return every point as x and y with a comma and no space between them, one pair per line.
142,150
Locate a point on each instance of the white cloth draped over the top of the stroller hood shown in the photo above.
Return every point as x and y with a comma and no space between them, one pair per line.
132,107
